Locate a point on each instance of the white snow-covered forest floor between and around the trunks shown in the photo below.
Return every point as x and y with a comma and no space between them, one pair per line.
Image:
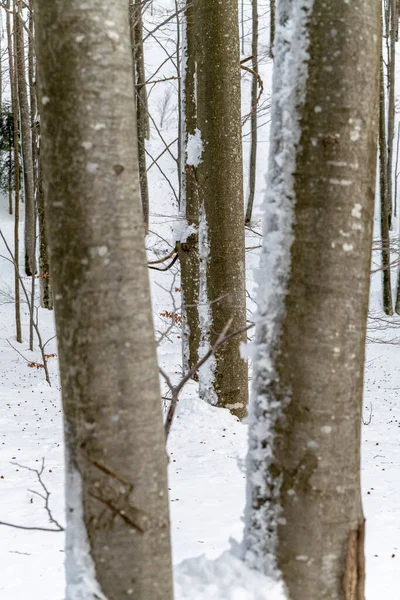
207,450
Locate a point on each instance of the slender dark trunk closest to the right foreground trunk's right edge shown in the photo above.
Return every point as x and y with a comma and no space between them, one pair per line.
384,201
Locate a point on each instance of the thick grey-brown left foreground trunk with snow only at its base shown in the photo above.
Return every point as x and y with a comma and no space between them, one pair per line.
118,541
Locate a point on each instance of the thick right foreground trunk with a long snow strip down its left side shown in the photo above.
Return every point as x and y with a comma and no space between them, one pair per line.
305,511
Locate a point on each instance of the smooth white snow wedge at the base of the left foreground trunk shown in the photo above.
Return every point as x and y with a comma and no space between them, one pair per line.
80,570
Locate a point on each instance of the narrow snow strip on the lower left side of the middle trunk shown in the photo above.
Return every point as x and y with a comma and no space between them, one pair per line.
207,371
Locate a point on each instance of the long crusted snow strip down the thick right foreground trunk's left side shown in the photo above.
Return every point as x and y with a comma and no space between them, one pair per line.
268,403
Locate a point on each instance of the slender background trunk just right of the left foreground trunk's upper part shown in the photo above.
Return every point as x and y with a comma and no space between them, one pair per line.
142,118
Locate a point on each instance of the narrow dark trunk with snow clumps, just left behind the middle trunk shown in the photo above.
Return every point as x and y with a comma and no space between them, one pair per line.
188,246
